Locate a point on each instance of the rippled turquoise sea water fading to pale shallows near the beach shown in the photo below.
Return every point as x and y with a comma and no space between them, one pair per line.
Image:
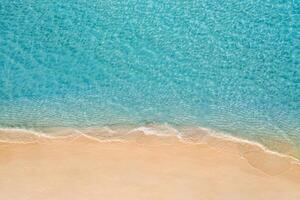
232,66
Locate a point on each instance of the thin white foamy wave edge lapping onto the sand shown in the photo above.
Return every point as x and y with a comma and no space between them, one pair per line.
164,130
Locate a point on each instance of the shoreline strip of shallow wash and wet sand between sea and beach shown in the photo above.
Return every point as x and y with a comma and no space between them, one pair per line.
122,133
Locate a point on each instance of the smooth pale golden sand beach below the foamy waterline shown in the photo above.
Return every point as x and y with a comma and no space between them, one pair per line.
144,167
